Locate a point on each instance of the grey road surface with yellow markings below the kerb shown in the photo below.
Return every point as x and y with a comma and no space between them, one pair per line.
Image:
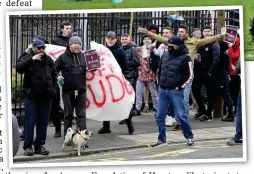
212,149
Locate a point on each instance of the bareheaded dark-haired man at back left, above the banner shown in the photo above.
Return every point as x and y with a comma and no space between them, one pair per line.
65,33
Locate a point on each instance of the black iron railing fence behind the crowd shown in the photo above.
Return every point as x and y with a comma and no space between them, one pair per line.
93,27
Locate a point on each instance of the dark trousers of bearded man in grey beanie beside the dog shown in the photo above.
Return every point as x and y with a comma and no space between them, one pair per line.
78,103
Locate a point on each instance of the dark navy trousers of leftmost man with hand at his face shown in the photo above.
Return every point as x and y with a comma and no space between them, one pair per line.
37,113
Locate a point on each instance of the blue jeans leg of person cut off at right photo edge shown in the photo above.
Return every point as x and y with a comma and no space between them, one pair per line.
238,135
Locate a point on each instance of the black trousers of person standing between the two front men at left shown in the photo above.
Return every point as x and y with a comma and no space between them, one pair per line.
55,114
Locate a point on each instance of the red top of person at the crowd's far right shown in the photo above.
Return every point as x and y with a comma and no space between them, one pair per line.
234,54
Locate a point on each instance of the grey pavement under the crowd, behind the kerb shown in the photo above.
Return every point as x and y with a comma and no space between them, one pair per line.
146,132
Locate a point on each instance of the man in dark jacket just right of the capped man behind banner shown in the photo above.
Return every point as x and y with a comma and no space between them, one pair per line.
134,63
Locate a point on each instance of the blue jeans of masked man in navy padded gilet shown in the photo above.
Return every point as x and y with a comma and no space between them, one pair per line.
176,97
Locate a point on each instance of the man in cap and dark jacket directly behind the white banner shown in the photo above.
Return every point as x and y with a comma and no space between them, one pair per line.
120,56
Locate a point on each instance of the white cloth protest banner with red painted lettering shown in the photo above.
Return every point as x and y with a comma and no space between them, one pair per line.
109,95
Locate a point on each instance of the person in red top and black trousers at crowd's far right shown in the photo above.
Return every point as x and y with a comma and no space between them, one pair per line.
234,84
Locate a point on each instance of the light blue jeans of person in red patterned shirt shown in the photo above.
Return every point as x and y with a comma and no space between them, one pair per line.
140,91
